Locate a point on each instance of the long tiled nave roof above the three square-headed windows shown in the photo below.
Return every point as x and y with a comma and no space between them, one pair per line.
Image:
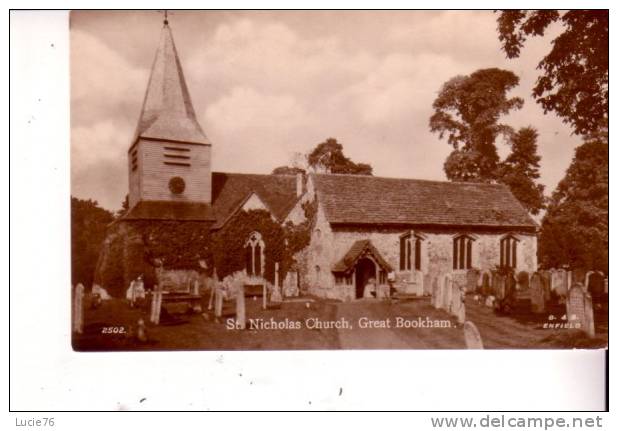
361,199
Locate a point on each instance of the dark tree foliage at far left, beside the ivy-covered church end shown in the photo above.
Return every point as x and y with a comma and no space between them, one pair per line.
88,225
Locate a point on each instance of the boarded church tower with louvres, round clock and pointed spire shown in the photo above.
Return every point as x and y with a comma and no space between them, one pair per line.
169,157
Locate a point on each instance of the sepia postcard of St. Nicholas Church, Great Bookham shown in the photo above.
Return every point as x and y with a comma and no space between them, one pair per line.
300,180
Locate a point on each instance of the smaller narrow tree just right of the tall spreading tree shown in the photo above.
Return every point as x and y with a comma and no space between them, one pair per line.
520,170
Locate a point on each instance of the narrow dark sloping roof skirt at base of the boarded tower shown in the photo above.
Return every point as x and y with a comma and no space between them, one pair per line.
163,210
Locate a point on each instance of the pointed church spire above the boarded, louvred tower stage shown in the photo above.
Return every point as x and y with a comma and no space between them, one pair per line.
167,112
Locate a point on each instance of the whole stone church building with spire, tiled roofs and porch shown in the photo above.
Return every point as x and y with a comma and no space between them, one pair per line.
397,232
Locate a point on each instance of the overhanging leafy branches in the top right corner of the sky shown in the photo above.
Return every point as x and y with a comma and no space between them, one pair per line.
575,75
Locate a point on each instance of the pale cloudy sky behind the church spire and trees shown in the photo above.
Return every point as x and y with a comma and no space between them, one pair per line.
267,85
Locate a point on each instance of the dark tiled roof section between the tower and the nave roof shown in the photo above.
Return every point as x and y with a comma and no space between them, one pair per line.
230,191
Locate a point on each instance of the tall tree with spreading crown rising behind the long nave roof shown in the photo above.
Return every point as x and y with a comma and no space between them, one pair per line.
468,110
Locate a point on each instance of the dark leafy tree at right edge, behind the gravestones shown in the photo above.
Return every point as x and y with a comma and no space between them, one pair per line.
575,229
